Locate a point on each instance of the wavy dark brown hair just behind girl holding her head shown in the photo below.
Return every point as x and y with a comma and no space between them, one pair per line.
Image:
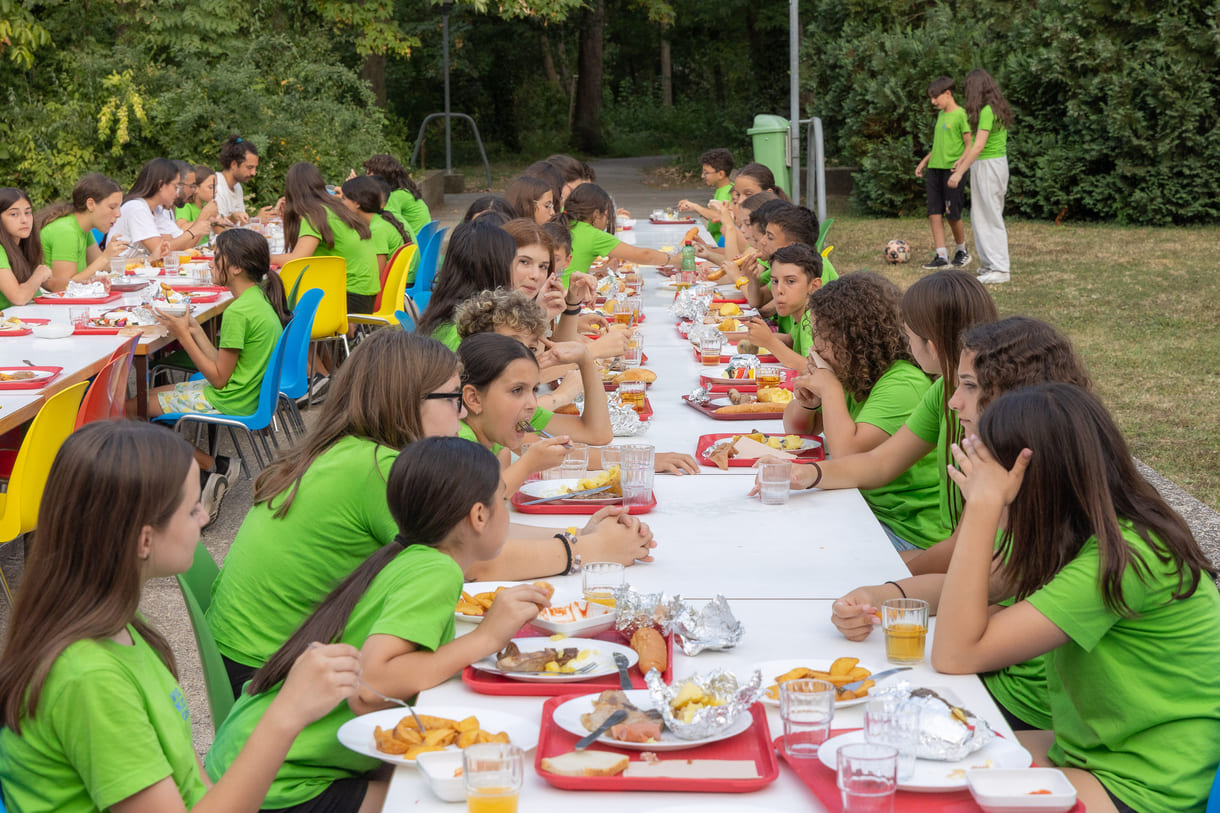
1022,352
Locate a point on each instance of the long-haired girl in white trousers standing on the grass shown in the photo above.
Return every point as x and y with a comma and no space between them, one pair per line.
991,118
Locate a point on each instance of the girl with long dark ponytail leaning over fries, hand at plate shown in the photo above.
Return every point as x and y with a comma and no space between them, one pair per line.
452,512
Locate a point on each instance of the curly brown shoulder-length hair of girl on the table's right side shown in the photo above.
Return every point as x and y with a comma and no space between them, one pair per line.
858,314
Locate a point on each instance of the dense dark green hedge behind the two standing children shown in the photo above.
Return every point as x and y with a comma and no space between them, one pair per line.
1117,103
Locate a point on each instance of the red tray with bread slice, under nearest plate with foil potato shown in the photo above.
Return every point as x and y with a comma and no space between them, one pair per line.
698,768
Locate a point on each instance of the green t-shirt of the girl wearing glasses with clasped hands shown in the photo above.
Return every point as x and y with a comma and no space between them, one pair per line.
278,571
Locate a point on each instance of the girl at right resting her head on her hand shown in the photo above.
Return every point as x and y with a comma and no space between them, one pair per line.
1110,584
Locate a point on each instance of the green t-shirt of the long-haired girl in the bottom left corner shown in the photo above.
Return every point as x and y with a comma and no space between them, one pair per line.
112,722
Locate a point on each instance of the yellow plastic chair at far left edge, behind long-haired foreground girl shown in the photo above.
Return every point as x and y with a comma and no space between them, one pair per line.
51,428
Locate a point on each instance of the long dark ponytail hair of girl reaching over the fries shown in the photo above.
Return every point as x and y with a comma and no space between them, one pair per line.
432,486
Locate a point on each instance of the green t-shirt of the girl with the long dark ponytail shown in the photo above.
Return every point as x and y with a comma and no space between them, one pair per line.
412,599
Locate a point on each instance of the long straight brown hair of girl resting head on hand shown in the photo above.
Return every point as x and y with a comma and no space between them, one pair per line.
1080,483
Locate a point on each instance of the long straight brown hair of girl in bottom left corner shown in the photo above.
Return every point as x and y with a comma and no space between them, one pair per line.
109,482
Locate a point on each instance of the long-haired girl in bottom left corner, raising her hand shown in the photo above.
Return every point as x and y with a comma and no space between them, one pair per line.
93,715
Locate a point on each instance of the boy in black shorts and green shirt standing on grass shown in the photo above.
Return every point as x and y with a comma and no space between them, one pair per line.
951,141
